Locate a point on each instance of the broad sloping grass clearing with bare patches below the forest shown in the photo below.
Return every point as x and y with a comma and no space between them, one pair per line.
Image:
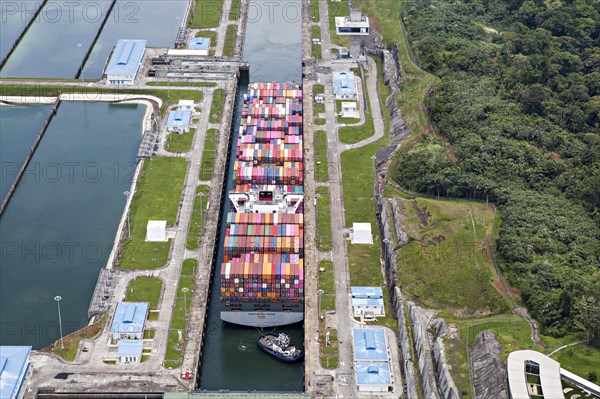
447,264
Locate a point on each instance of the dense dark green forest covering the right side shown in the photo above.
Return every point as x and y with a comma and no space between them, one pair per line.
517,115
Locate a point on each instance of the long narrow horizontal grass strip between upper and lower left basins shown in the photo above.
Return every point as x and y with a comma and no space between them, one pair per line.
167,96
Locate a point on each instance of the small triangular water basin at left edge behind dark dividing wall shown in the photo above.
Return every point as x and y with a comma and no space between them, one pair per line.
19,126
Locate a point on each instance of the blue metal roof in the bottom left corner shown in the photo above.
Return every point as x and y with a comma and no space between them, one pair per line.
14,361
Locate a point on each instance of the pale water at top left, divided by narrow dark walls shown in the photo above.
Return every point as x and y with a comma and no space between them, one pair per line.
56,44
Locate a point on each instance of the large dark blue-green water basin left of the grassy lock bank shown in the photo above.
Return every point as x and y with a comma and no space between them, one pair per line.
58,229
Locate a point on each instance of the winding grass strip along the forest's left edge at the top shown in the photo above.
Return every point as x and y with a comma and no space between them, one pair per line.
415,82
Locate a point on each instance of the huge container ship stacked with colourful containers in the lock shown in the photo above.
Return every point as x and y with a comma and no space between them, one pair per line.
262,274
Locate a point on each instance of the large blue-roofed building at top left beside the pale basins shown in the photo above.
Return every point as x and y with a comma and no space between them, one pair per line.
125,61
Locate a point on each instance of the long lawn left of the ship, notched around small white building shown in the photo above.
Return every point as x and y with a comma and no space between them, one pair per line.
156,198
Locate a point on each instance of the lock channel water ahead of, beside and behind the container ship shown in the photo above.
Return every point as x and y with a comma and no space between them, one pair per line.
231,359
